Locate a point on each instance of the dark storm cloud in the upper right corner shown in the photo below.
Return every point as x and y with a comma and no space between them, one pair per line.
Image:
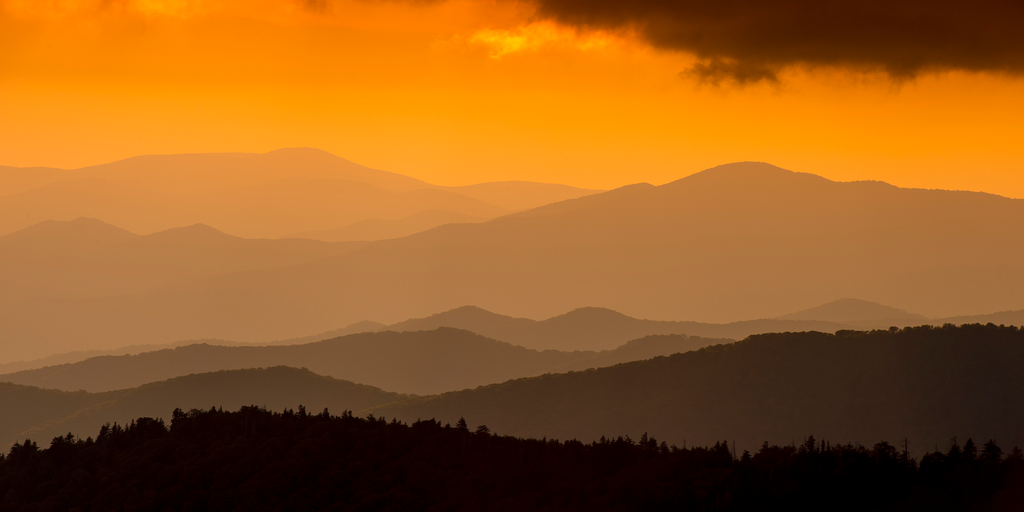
752,40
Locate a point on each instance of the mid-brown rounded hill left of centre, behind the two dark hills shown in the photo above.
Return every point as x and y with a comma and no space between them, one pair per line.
421,363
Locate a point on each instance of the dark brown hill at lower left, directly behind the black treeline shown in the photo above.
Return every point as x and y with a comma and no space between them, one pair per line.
57,413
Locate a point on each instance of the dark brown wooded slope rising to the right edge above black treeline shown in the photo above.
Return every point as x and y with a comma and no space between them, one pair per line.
923,385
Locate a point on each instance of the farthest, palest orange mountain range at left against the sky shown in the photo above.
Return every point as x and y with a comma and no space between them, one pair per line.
269,195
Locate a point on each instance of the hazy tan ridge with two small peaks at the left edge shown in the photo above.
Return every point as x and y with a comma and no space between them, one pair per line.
88,258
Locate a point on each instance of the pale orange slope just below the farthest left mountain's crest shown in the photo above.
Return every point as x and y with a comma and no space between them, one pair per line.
270,209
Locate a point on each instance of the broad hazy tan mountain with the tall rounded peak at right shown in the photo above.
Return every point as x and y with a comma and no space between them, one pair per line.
743,241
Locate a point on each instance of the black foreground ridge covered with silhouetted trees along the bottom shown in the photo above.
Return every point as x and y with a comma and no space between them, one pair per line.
258,460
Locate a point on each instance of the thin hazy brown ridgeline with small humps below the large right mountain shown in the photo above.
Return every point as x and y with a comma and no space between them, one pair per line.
587,329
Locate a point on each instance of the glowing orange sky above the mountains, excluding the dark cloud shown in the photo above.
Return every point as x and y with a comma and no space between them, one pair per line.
465,92
